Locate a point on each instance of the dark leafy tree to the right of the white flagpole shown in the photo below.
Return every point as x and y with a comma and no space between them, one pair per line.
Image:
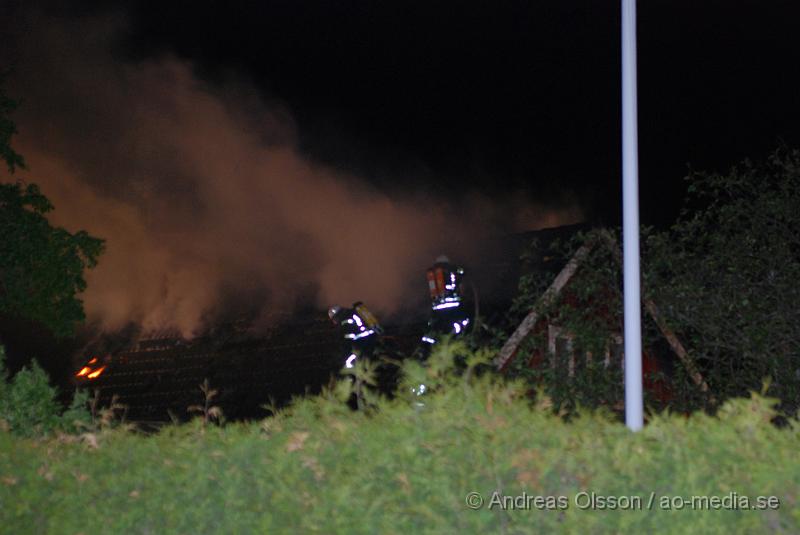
726,276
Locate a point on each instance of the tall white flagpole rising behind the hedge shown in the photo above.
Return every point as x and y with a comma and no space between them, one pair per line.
630,222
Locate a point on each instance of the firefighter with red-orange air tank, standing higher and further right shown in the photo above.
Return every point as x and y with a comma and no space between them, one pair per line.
448,311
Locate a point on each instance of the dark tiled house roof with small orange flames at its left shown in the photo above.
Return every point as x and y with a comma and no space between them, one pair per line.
157,374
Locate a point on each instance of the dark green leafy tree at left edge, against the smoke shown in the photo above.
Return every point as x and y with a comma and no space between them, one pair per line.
41,266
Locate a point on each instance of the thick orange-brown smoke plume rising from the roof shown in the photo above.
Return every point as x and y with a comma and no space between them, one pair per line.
202,195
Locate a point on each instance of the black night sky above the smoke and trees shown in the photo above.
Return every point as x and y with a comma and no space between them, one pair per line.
502,94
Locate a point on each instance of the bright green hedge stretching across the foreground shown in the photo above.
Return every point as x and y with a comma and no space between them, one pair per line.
401,467
